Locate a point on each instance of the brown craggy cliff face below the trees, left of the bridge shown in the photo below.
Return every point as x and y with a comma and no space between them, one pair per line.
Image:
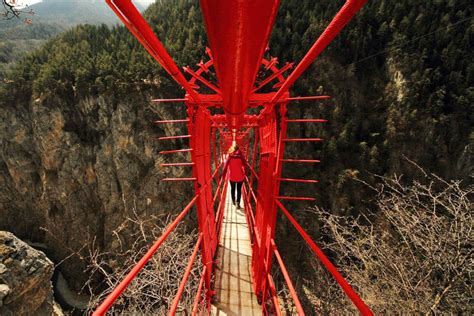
71,173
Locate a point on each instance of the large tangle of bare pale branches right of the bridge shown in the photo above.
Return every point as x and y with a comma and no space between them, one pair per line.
413,254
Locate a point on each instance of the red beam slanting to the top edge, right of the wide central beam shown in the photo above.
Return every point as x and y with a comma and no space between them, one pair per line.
345,14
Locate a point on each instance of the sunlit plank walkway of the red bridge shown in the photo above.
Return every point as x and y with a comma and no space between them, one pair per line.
233,280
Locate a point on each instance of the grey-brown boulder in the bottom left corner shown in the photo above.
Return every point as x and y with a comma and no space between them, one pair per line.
25,278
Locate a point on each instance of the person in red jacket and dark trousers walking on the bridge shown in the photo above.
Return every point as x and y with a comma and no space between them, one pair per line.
236,163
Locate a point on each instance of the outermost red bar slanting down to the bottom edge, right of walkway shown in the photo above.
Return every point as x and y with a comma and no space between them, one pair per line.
364,309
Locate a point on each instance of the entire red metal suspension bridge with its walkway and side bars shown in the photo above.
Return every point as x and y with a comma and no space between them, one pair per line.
237,248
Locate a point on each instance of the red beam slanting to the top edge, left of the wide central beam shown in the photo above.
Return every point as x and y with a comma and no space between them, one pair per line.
134,21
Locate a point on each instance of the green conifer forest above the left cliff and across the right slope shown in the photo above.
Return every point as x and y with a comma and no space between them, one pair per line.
401,74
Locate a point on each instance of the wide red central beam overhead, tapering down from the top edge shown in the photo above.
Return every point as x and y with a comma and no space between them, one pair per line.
238,33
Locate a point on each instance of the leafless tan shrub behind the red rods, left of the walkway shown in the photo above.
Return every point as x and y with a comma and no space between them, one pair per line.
154,289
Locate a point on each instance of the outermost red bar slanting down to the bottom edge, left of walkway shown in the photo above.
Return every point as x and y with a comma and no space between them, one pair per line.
112,297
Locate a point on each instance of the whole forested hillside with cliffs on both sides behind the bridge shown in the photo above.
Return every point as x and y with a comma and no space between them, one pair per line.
77,139
